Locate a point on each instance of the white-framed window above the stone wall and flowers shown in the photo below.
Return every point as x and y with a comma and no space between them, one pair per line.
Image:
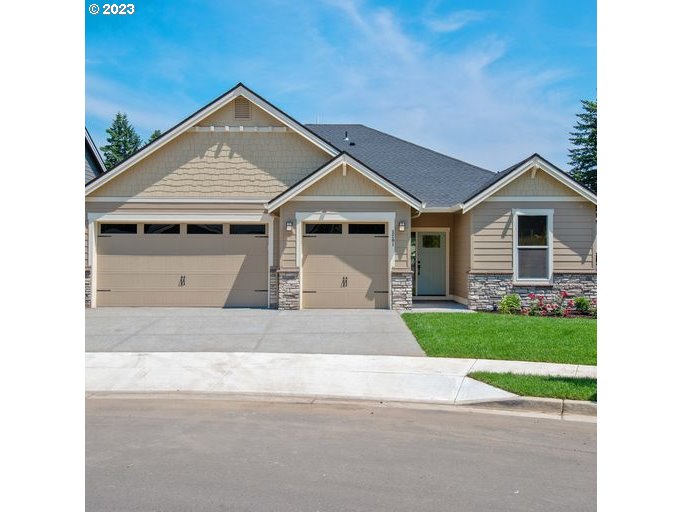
533,251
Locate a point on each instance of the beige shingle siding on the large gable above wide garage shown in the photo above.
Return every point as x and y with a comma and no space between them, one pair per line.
220,165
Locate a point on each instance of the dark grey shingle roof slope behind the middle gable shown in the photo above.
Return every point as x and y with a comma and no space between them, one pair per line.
436,179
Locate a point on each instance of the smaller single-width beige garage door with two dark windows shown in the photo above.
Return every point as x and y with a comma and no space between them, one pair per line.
345,265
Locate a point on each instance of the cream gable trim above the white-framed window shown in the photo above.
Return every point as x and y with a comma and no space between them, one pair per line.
503,178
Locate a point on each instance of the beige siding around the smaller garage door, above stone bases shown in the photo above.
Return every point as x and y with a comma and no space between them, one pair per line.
287,245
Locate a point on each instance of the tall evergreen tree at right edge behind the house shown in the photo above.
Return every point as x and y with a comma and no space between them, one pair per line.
583,155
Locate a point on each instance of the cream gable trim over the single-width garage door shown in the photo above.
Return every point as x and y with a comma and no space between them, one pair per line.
345,158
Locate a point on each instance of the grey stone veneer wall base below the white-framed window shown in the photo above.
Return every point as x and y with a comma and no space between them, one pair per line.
486,290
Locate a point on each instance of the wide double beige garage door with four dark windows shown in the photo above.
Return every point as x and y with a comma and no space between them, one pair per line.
219,265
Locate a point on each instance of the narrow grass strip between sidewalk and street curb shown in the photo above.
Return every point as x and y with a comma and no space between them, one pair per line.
542,386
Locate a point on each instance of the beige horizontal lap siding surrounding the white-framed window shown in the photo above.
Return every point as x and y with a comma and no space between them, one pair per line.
574,235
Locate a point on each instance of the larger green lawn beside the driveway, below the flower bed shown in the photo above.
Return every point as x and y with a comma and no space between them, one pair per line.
495,336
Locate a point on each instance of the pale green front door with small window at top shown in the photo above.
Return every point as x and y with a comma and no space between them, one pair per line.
429,263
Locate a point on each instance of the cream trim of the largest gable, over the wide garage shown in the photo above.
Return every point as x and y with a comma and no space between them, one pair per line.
170,134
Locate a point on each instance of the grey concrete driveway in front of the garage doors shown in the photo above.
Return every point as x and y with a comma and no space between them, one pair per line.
364,332
